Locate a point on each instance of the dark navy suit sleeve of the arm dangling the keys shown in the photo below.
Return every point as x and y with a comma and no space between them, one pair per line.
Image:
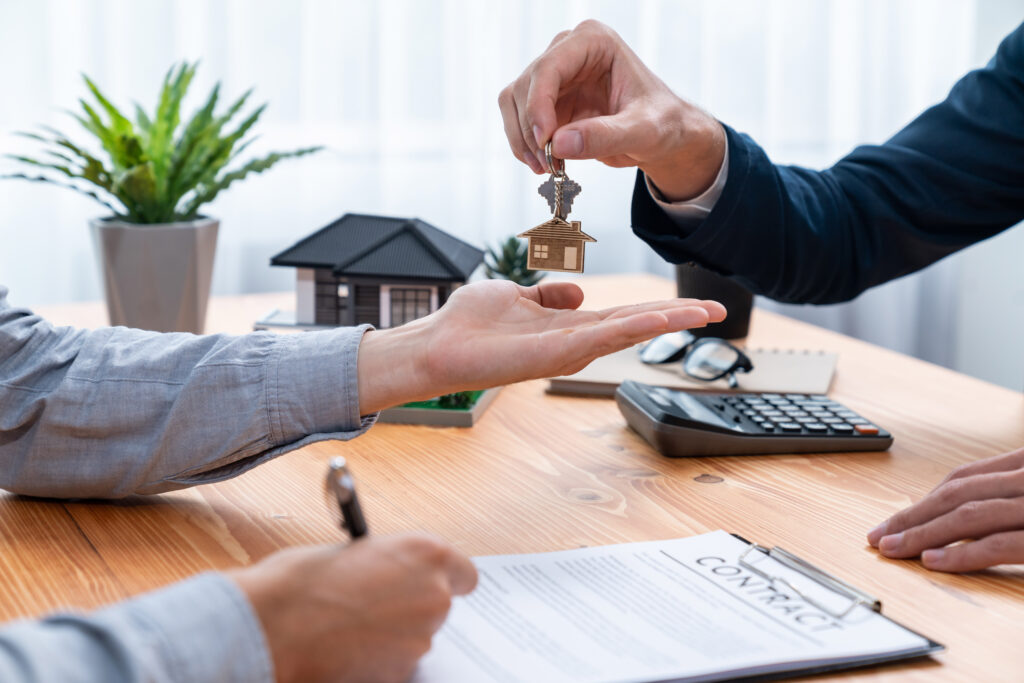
953,178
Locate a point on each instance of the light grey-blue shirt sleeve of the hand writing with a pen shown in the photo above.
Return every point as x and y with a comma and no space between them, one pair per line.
199,631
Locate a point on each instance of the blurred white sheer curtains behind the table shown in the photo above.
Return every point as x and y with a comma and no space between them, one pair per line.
403,94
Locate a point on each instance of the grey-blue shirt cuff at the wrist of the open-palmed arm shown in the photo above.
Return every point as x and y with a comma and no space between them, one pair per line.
313,387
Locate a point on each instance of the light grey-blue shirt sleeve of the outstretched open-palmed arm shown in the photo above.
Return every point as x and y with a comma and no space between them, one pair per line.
113,412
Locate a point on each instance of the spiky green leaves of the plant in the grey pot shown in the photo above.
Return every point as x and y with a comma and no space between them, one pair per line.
159,170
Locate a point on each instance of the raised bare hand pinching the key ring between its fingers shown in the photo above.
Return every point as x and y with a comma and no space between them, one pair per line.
592,98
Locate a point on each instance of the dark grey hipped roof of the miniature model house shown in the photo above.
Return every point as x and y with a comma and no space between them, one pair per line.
385,247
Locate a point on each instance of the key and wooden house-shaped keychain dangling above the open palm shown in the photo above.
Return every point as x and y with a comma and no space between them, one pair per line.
558,244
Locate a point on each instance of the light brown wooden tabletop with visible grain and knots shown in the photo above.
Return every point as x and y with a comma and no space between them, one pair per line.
541,473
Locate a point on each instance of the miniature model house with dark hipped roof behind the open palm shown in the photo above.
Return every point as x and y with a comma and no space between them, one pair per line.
376,270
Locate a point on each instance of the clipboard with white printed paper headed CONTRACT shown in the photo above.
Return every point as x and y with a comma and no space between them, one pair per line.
687,610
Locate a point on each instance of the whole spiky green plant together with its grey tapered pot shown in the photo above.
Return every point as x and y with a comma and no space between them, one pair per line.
155,176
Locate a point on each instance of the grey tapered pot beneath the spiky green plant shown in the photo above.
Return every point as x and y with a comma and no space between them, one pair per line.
157,277
